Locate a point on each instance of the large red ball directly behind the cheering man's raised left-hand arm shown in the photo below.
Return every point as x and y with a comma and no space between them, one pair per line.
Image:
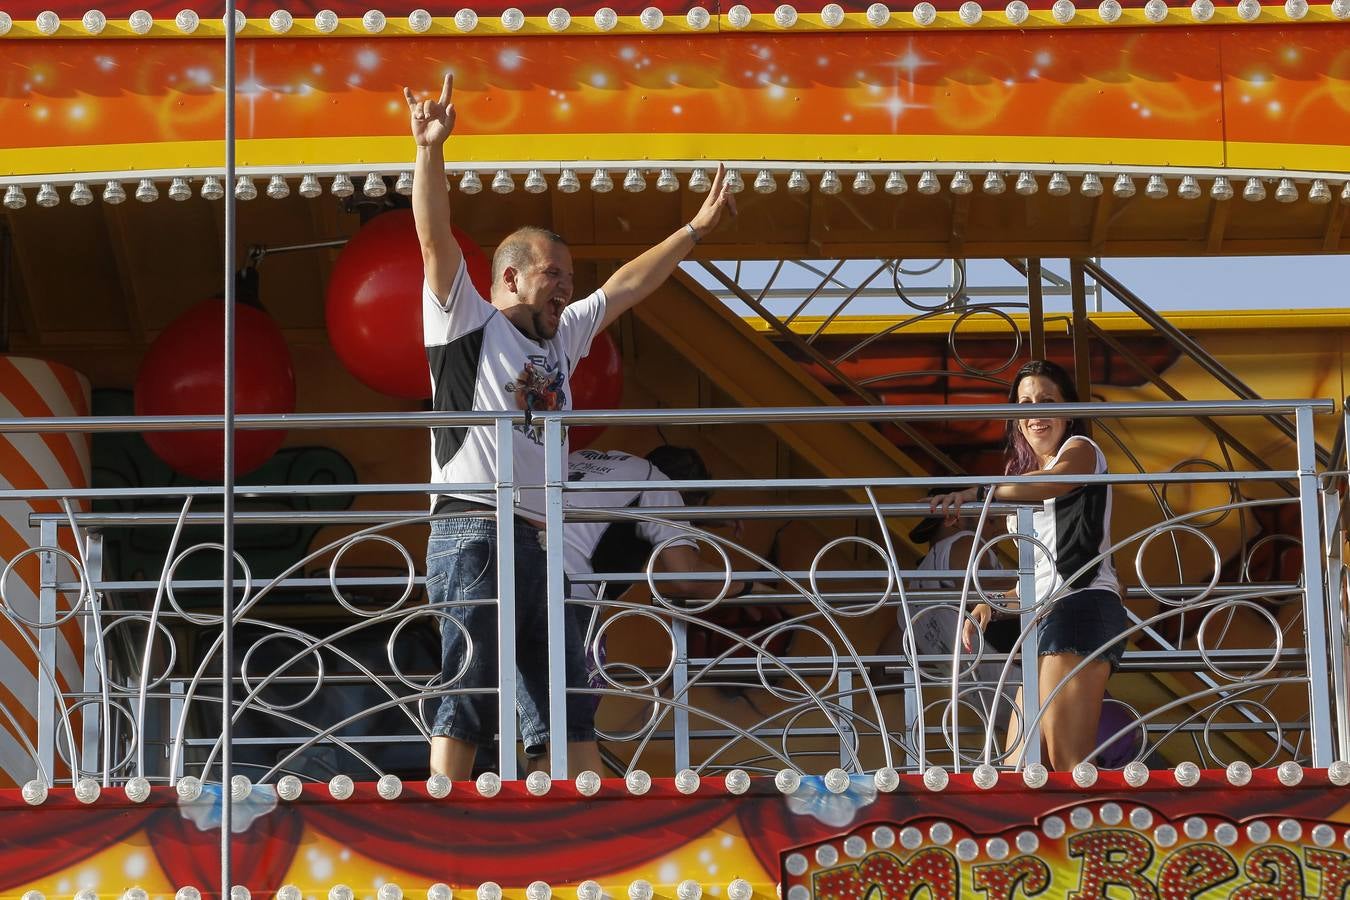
375,304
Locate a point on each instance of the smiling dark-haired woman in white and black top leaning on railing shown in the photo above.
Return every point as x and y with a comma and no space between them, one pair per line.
1074,522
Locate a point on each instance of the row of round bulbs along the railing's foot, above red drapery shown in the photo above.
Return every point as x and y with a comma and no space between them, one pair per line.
688,782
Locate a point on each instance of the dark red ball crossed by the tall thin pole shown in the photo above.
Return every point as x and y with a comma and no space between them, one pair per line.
184,374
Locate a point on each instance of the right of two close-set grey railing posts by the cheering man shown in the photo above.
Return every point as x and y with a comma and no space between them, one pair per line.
556,474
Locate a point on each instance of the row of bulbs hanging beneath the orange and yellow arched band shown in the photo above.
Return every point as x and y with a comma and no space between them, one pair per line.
635,181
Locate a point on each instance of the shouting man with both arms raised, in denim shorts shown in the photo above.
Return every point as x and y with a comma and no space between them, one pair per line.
516,351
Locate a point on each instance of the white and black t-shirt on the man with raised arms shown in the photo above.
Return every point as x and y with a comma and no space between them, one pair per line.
481,362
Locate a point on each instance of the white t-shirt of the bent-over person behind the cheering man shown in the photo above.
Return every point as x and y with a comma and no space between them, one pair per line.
583,539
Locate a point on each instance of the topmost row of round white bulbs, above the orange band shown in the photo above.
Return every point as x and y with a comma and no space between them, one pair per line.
738,17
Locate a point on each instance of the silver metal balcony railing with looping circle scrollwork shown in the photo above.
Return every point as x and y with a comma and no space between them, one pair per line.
340,667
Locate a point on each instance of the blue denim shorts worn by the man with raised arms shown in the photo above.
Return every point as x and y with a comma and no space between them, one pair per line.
462,569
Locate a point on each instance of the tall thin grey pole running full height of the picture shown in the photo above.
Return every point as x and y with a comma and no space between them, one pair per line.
227,481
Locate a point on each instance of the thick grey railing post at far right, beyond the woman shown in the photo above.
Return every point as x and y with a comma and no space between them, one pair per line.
1314,596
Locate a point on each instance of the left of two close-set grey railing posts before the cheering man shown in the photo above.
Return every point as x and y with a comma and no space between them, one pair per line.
506,600
